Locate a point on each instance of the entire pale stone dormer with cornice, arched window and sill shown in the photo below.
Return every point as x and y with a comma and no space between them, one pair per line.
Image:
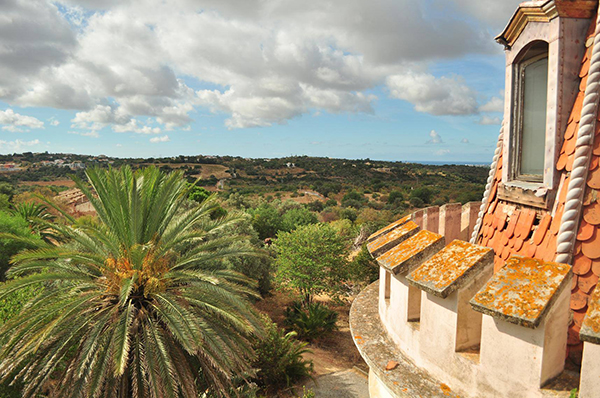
543,59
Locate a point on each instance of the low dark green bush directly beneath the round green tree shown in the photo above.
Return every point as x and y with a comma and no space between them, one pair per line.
310,321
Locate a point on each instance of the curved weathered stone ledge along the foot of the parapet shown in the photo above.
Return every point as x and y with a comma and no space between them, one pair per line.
405,380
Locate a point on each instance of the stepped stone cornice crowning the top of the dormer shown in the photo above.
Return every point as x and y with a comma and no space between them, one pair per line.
544,11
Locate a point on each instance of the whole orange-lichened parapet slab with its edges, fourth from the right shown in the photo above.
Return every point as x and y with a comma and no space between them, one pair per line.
412,252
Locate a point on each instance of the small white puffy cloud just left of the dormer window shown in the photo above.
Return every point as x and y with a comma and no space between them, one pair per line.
438,96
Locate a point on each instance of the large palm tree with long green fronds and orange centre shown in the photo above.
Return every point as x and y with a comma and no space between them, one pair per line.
128,308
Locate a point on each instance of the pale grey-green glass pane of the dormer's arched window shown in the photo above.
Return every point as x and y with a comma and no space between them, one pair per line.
533,144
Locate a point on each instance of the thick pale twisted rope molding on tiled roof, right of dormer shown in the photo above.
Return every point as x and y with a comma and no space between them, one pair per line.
585,140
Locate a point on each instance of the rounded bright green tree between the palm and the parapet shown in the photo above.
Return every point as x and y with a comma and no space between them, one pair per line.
311,259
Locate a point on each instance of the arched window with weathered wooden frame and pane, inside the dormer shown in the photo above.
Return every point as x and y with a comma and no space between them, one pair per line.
529,128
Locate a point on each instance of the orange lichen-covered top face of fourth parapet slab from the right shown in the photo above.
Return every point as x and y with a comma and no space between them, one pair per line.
414,246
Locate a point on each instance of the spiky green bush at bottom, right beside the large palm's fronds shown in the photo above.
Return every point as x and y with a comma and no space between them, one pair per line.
279,360
